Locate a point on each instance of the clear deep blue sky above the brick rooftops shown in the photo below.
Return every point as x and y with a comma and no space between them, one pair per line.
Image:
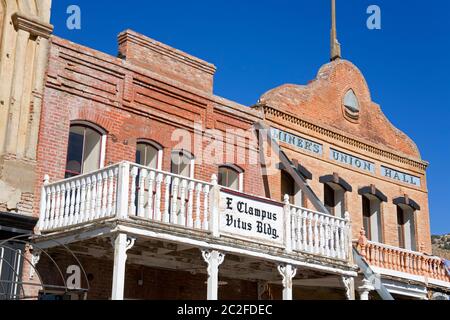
258,45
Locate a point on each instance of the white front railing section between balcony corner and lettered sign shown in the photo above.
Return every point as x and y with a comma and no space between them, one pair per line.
169,198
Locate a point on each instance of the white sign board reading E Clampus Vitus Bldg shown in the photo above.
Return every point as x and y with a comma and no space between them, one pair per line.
251,218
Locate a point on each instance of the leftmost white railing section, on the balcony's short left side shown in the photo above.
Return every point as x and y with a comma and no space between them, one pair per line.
79,199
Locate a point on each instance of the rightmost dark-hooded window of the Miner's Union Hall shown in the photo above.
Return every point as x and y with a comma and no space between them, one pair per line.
406,227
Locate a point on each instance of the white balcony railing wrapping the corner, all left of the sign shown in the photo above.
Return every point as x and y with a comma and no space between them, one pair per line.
125,190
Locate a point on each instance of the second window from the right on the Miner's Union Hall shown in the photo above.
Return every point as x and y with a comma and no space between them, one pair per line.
372,200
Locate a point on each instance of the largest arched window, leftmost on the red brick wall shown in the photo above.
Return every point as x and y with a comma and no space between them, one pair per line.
86,149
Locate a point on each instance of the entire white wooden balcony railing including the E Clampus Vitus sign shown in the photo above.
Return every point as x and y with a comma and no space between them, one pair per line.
128,191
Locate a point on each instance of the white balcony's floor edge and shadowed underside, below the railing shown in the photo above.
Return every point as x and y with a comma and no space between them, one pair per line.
153,238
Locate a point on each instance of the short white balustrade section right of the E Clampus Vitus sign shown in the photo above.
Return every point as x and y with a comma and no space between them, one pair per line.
320,234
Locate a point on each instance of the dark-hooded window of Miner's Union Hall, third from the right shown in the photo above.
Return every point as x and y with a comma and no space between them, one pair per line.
334,194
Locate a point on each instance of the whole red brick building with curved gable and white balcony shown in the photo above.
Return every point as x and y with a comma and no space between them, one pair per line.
160,188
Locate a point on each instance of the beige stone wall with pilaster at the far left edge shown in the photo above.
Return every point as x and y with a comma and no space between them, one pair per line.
24,34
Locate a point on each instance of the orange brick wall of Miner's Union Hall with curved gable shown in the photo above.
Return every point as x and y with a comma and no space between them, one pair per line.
372,137
